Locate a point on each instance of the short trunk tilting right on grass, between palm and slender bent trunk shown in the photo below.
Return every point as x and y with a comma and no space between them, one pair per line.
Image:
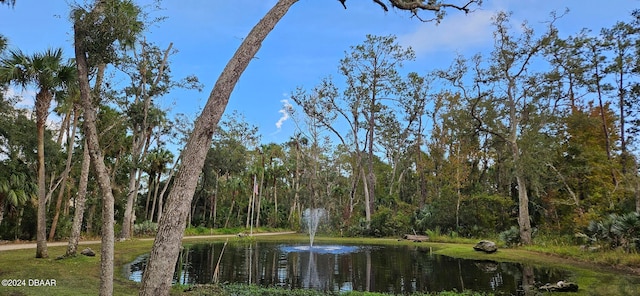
81,199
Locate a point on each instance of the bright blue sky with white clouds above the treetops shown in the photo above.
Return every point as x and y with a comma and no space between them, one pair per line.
305,46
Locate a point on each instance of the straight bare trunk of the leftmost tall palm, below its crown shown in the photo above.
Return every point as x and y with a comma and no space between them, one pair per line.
43,101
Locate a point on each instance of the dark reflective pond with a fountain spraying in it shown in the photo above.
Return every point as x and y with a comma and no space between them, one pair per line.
394,269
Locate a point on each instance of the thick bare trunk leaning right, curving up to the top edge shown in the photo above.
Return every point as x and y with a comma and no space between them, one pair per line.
157,276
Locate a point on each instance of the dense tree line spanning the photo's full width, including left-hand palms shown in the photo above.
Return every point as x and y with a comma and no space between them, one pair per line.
537,136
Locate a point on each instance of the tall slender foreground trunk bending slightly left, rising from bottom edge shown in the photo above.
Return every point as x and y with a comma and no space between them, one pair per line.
102,173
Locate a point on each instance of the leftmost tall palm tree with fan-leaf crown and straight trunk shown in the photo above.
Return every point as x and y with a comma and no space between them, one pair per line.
48,73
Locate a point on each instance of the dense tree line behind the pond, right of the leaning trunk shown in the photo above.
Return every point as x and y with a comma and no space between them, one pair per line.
540,113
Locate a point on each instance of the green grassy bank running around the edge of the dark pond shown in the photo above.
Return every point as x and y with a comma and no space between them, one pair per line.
81,275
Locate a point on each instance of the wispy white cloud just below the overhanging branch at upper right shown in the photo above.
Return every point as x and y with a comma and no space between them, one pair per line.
456,32
